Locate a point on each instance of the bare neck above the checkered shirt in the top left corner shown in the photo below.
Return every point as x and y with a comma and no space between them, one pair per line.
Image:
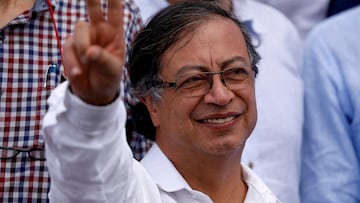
9,9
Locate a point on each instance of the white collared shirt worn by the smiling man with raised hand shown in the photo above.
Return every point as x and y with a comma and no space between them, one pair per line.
89,160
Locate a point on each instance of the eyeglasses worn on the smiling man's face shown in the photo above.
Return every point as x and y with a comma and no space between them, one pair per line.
195,84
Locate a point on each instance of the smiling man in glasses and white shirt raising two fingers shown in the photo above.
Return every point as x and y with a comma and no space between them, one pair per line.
199,90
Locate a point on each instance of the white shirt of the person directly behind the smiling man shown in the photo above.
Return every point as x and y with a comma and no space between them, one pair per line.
273,149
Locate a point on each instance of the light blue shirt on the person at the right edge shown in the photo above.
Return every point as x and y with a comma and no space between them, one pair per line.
331,140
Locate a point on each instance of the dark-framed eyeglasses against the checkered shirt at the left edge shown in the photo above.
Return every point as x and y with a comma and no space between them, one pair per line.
12,152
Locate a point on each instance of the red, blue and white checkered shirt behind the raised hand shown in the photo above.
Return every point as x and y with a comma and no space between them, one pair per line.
30,68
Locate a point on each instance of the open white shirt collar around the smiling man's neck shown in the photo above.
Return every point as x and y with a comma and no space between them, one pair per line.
157,164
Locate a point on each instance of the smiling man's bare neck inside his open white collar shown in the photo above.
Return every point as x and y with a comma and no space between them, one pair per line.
218,177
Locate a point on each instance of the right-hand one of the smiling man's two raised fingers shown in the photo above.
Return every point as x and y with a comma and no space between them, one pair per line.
115,13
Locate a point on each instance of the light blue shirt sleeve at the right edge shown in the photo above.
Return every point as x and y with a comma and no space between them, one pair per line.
330,169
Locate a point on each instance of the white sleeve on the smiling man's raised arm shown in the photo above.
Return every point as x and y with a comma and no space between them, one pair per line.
87,153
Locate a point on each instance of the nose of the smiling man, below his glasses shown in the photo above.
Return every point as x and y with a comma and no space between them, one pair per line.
218,93
